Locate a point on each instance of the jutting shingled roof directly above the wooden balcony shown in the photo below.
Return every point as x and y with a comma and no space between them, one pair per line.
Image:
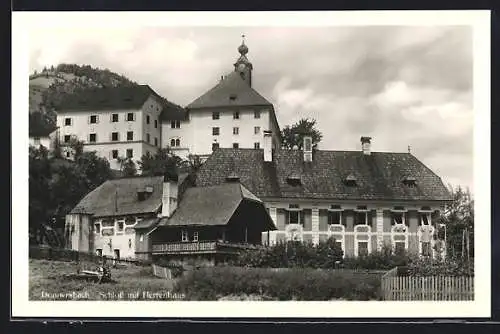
213,205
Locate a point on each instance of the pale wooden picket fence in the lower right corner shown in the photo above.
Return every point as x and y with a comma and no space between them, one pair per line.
426,288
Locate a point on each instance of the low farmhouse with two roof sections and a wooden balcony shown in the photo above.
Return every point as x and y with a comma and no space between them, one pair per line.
155,216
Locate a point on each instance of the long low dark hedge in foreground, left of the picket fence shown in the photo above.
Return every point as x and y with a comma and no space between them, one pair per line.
279,284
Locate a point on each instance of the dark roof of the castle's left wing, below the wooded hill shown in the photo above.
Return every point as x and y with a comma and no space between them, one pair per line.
124,97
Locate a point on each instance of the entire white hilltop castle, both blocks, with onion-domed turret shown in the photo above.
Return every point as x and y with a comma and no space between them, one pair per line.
131,121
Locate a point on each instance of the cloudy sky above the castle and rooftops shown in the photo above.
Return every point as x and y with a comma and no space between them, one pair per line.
400,85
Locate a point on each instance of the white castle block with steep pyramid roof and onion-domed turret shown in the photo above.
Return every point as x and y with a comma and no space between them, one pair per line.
230,115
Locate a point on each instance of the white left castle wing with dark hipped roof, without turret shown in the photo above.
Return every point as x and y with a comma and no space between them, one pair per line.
118,122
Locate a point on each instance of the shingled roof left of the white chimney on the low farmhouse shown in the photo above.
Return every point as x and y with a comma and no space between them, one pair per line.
119,197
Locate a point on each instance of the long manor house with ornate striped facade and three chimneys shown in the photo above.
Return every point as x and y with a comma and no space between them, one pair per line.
363,199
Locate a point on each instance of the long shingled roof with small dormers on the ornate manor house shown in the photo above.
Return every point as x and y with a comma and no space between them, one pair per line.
378,176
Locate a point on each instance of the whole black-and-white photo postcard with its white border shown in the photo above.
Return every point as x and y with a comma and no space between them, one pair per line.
260,161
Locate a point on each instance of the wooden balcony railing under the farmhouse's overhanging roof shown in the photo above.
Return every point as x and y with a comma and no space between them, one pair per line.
200,247
